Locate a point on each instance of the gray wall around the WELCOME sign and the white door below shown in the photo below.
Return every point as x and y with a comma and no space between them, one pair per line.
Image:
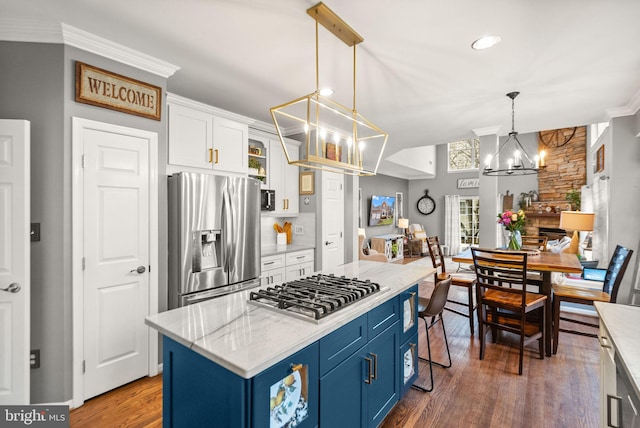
38,84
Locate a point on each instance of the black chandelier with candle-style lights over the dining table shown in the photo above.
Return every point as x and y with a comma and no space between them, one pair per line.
517,161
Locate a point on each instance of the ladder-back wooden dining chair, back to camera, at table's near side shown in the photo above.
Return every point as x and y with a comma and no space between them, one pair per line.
503,300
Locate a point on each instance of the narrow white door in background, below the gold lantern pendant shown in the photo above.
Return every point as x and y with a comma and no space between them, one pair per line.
332,219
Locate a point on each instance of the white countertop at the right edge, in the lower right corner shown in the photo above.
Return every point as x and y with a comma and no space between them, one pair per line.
622,323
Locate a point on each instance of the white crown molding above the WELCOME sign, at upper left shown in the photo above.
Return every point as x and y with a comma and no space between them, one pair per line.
22,30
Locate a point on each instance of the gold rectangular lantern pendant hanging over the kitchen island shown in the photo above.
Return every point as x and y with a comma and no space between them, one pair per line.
336,138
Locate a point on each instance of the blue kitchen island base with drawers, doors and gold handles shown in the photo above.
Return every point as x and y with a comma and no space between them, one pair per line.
351,377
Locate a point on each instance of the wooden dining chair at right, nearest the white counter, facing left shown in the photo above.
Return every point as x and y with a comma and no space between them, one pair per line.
586,296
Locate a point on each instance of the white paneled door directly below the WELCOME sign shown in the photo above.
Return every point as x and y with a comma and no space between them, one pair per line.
116,256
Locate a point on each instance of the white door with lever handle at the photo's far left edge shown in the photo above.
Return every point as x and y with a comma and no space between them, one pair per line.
14,262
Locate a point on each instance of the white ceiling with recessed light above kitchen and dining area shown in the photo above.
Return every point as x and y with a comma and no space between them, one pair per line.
575,62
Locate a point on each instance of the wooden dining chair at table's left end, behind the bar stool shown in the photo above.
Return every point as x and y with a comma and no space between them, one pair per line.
467,281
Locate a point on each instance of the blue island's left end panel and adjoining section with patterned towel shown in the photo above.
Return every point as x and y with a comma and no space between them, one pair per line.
197,392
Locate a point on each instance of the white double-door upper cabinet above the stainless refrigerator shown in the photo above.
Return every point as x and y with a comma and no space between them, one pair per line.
200,137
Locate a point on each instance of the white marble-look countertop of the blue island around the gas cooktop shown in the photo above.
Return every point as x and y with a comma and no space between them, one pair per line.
248,339
